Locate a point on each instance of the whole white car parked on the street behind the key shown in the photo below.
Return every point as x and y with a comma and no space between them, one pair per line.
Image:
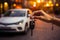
15,20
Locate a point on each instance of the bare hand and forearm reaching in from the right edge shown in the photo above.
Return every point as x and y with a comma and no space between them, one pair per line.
48,18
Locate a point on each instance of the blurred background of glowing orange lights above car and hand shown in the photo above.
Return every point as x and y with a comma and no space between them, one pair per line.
49,6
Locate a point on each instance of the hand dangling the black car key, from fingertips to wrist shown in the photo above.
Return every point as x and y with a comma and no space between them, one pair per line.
45,16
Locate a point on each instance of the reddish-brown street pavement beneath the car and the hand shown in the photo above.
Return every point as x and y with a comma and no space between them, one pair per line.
42,31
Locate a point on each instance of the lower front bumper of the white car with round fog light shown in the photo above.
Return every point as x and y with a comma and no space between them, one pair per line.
12,29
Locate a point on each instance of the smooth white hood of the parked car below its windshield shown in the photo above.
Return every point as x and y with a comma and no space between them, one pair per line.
11,19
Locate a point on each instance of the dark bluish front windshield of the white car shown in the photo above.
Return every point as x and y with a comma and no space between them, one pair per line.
15,13
